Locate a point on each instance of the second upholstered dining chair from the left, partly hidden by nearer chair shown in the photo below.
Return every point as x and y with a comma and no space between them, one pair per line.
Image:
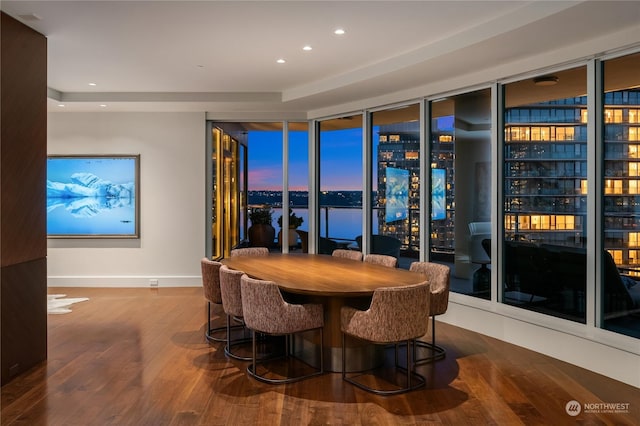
232,305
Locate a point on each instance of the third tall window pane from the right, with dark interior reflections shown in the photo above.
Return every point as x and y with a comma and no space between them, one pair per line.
461,197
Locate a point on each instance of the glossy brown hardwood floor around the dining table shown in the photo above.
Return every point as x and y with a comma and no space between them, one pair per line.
138,357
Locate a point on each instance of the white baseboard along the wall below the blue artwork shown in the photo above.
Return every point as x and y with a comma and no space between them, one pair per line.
124,281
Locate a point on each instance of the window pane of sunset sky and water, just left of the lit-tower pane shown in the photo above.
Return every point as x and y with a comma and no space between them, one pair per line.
340,203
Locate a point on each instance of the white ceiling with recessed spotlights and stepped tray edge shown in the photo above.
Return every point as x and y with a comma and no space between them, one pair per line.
220,56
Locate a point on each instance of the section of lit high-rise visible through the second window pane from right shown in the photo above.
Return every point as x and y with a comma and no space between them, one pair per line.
546,172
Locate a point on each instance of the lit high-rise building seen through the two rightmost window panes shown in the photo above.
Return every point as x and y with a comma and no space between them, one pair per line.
546,173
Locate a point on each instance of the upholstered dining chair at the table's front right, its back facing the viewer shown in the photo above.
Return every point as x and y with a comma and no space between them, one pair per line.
396,315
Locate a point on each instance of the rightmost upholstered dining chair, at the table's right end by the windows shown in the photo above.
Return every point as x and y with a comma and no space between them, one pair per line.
440,279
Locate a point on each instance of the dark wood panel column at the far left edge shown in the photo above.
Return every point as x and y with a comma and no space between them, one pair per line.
23,239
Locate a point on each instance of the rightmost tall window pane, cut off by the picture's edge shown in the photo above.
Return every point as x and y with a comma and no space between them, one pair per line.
620,295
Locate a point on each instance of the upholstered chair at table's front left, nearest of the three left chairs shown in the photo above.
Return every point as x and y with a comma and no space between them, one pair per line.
265,311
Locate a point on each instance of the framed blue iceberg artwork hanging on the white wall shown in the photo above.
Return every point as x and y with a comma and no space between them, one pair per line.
93,196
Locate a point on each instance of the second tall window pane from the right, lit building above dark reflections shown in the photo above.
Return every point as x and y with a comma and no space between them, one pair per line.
545,194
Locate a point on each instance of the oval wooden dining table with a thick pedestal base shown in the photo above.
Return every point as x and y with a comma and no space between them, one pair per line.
332,282
